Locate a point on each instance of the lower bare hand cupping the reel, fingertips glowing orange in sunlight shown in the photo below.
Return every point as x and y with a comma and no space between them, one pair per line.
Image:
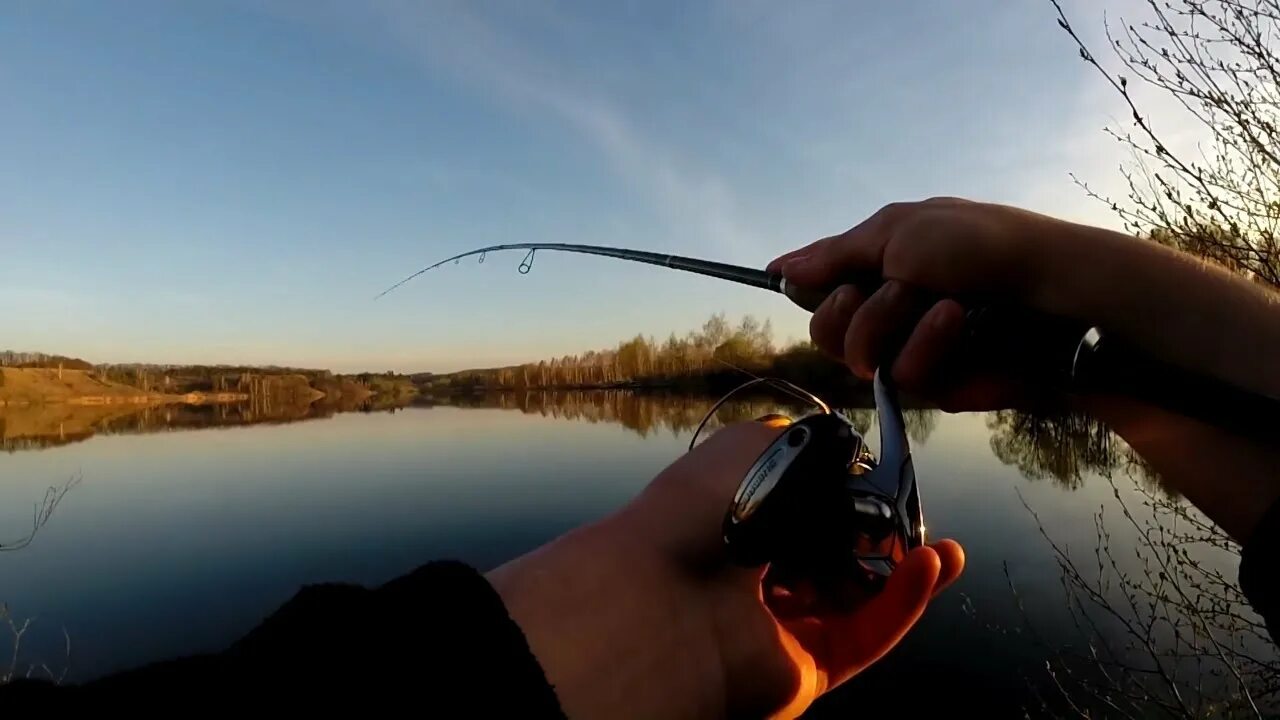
644,616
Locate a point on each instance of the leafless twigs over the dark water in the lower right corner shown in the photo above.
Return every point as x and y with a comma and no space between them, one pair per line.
1162,631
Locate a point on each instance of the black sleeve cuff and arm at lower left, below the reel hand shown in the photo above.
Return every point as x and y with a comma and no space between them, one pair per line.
438,640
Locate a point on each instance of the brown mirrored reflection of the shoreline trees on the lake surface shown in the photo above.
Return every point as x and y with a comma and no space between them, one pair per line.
1064,449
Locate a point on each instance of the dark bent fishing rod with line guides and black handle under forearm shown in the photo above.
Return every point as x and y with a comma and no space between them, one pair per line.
1069,357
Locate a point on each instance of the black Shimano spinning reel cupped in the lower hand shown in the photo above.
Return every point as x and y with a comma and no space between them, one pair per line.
817,504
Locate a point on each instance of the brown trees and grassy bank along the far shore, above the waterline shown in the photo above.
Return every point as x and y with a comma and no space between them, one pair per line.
717,357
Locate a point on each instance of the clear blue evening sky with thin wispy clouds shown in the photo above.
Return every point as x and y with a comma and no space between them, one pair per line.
234,181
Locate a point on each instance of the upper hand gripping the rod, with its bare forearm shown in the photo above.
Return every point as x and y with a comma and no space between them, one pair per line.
938,253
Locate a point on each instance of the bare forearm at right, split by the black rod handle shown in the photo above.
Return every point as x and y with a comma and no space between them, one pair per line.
1192,315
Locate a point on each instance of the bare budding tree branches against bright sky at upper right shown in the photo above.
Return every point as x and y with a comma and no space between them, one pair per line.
1219,62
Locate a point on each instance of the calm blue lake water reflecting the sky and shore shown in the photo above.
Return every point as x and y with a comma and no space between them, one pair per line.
179,543
